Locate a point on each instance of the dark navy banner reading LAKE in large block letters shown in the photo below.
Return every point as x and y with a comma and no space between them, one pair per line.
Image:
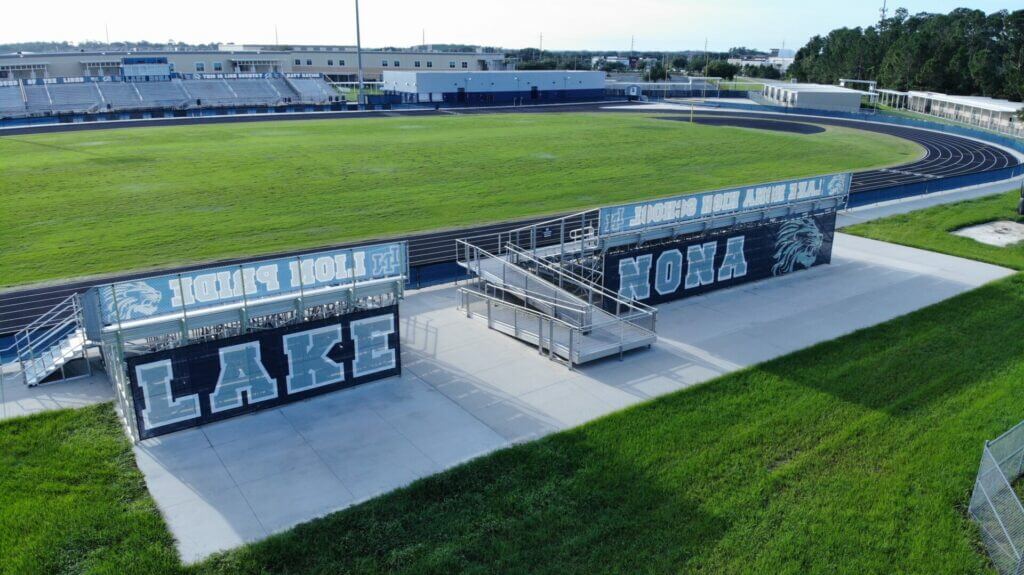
201,383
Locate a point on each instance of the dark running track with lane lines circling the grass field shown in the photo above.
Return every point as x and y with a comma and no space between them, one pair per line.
946,156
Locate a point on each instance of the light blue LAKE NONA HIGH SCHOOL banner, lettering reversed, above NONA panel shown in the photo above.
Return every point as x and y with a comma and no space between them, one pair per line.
657,213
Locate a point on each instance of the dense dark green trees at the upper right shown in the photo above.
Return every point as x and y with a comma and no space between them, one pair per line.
965,53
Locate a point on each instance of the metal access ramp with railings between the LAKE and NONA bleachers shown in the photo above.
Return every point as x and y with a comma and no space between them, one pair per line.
569,318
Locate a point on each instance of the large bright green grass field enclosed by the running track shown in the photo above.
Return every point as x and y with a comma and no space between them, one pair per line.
100,202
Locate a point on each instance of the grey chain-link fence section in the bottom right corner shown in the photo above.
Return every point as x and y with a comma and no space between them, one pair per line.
995,505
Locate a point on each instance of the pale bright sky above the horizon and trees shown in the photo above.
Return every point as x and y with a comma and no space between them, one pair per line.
591,25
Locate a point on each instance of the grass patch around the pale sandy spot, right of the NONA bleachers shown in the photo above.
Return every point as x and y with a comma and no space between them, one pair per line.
930,230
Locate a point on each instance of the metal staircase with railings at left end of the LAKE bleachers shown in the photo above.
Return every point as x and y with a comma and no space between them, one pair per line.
48,345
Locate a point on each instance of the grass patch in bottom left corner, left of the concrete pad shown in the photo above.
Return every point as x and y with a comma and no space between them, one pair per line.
72,500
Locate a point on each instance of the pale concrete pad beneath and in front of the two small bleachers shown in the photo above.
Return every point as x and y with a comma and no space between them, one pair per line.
467,391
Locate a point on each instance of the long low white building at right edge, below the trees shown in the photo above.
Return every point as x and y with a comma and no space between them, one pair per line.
992,114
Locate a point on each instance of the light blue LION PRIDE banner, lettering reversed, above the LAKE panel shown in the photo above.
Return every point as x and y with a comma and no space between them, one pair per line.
150,297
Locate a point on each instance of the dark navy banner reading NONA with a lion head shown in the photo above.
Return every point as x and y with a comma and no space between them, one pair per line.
703,262
